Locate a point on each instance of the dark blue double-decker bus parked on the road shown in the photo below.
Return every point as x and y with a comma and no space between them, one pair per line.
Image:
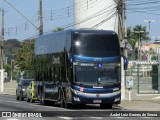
79,67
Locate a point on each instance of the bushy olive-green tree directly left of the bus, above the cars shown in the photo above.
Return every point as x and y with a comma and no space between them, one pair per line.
25,56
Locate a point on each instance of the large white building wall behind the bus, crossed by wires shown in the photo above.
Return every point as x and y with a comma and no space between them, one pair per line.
96,14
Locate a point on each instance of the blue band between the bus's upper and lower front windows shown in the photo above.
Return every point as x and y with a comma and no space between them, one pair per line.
96,59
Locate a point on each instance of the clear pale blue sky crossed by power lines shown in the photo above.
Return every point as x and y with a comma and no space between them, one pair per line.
59,13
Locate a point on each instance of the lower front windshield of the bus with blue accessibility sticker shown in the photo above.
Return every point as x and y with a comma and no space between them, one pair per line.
96,74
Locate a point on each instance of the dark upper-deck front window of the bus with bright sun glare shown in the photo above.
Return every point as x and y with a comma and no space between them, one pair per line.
96,45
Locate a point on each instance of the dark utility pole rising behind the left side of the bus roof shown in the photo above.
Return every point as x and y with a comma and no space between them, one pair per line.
41,18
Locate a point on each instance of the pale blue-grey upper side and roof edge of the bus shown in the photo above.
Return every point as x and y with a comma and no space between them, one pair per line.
45,44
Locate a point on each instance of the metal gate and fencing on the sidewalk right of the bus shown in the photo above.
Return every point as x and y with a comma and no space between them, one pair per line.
145,76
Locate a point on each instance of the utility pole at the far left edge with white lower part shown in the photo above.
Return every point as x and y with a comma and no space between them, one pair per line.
2,54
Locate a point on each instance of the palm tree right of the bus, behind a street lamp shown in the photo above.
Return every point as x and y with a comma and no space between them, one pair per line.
133,38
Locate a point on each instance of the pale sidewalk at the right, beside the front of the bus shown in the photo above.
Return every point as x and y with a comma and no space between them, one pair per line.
141,102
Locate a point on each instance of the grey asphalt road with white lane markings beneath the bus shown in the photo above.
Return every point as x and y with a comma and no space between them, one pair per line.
13,107
